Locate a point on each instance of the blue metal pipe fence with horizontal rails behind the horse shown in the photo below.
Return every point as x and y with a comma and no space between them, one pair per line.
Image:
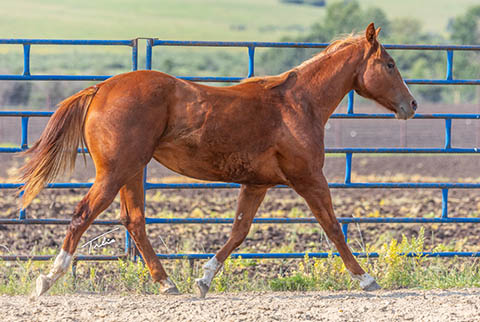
250,46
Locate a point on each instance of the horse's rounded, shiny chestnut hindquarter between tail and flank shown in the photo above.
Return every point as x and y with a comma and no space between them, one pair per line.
126,119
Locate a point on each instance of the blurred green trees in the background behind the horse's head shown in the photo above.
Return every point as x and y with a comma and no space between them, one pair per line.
345,16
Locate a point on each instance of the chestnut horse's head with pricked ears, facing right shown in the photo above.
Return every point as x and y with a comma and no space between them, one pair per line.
379,79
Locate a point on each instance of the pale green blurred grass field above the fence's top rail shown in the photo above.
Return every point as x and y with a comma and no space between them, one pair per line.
266,20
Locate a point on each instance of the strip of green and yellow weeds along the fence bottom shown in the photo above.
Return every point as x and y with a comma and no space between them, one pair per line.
392,269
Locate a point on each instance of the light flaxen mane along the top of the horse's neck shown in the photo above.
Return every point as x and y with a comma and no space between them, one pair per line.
335,45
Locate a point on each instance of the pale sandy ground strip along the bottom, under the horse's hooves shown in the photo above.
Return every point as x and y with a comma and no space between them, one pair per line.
399,305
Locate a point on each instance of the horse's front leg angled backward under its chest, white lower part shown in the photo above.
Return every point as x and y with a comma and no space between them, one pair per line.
248,202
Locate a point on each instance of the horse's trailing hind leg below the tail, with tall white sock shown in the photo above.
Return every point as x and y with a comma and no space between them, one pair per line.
98,198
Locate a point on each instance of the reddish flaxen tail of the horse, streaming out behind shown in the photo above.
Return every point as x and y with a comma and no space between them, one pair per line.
56,150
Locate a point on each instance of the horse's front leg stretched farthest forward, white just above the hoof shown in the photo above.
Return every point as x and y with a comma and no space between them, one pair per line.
314,189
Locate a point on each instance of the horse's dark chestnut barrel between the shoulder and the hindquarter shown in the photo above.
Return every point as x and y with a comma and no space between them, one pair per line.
225,134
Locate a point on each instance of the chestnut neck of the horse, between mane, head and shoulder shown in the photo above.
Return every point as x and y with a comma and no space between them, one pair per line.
325,81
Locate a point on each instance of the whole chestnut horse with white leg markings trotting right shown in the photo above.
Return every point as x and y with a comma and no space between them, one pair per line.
260,133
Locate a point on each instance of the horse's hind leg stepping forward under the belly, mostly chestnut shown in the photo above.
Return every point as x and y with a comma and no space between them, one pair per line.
133,218
